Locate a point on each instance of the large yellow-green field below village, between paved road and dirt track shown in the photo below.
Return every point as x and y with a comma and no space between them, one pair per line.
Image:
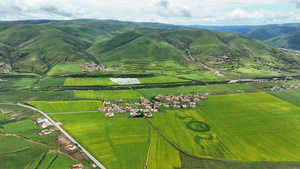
119,142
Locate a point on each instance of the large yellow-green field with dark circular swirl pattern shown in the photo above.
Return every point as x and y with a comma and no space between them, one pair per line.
248,127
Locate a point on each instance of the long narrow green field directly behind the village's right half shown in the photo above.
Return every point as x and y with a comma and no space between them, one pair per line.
188,89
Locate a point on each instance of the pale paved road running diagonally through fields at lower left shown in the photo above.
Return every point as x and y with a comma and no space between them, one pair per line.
66,134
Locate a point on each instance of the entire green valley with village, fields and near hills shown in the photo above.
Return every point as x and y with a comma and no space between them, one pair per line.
142,95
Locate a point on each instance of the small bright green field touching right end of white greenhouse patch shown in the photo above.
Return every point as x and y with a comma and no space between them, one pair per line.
161,79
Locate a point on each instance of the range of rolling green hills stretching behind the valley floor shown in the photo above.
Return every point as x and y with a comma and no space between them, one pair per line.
32,46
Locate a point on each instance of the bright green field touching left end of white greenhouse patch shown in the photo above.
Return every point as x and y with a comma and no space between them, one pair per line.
88,82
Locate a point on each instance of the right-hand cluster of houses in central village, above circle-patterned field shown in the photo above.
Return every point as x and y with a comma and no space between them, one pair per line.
181,101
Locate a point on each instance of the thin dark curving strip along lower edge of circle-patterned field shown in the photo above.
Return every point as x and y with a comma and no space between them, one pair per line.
213,159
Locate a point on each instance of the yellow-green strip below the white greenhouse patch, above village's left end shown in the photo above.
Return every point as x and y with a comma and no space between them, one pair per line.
107,94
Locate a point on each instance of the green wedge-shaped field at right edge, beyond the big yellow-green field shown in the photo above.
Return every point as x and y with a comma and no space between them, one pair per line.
290,96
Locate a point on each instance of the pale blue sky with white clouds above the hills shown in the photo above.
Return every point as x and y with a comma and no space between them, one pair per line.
178,12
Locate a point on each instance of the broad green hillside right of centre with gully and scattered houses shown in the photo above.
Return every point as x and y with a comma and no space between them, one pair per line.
147,49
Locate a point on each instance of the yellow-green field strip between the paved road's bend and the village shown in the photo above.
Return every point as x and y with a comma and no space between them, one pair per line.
67,106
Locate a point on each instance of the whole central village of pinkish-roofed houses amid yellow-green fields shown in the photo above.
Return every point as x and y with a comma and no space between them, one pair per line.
145,108
